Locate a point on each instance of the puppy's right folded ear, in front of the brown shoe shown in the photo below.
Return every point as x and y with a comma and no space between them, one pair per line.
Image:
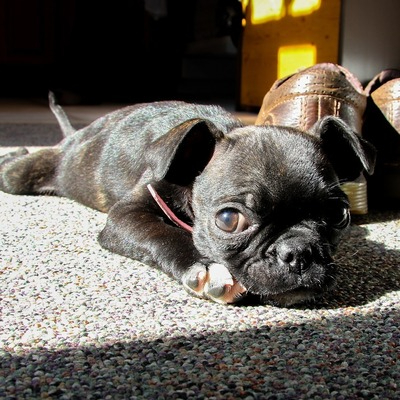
348,152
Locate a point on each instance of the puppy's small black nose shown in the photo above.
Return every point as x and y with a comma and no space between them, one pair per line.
297,256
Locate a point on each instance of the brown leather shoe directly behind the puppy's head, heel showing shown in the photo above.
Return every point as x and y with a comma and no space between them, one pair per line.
301,99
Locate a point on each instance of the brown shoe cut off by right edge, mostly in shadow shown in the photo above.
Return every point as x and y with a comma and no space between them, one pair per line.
382,129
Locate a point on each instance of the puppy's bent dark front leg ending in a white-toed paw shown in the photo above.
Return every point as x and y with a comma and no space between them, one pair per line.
139,231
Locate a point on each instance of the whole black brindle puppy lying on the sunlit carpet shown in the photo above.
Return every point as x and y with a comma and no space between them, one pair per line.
256,209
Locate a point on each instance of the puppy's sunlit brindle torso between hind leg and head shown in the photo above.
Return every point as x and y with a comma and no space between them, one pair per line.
109,158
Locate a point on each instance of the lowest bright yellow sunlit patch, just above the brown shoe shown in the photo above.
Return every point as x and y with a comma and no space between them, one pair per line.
294,58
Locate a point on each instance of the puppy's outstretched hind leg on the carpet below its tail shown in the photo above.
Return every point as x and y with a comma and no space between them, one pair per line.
22,173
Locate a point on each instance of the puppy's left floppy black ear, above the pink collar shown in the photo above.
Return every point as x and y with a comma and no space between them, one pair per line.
183,153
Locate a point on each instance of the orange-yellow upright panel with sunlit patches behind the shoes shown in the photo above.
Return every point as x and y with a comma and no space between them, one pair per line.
265,38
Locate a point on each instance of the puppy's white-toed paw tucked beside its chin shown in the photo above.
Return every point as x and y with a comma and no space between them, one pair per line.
214,282
